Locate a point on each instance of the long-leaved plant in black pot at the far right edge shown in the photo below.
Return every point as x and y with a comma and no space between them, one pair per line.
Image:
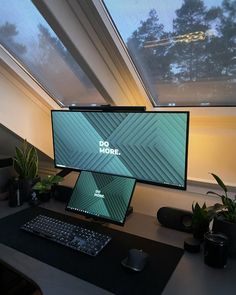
225,219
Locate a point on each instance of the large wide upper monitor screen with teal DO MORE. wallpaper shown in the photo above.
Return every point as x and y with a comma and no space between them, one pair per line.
148,146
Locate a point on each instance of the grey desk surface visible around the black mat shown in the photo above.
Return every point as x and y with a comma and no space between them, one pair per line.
191,276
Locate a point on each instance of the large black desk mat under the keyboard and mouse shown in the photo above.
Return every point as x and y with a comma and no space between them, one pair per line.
104,270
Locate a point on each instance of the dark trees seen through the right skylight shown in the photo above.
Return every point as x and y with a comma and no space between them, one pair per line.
206,58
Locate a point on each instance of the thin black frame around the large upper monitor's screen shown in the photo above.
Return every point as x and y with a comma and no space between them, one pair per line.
183,188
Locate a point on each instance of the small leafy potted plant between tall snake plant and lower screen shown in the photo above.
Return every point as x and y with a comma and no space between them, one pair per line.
45,186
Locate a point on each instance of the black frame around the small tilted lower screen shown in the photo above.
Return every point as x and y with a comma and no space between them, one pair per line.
96,217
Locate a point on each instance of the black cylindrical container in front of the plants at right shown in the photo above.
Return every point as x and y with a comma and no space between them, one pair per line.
215,249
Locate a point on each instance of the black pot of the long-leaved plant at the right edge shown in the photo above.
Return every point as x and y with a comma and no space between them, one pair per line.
229,229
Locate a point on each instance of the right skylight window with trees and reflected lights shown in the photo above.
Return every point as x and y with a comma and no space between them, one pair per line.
184,50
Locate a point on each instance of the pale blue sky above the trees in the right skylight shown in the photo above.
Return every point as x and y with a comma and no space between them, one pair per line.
127,14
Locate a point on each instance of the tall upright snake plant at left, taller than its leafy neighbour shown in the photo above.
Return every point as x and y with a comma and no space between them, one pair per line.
25,163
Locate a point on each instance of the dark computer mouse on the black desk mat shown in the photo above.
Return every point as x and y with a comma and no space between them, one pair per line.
136,260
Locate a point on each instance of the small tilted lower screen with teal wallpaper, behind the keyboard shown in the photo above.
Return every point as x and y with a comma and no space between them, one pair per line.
103,196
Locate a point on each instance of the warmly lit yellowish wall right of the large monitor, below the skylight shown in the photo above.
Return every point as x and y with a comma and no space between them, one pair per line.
212,144
